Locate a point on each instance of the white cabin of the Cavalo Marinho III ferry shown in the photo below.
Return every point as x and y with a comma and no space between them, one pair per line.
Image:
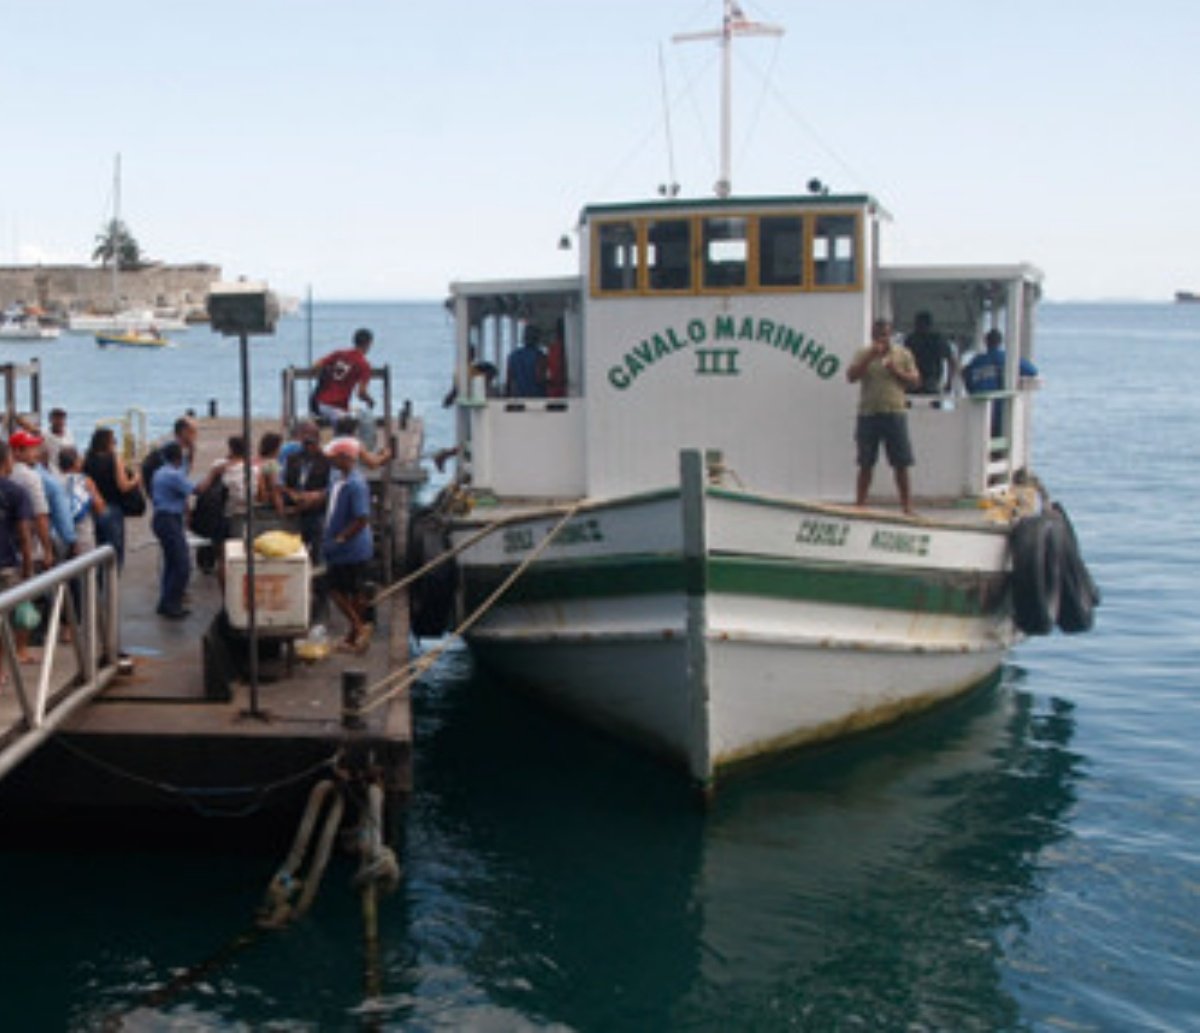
728,326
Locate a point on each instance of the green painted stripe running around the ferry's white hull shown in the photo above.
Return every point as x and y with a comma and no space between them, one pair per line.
926,592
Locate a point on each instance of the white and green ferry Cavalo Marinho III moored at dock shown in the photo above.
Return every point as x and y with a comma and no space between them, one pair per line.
669,549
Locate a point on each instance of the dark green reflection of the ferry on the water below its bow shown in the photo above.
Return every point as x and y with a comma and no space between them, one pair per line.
879,882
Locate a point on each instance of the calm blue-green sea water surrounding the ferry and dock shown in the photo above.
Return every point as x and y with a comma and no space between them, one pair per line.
1027,860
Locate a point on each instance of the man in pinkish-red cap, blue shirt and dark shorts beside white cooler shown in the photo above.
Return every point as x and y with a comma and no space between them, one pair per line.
347,545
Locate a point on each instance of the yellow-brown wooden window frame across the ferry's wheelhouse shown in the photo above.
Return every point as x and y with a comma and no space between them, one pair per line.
753,218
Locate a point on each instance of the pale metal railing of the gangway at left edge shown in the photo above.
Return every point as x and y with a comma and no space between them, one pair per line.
82,594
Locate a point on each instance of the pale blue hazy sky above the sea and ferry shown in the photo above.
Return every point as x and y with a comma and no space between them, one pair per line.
381,149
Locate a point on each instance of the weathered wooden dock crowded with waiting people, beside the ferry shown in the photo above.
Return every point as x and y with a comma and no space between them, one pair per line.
160,738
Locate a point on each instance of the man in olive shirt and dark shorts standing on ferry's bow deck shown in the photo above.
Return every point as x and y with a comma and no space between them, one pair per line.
886,373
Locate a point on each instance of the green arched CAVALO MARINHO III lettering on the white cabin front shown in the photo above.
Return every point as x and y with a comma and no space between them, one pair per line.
712,362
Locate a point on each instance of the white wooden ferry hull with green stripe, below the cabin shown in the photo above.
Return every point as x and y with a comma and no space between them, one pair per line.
713,628
